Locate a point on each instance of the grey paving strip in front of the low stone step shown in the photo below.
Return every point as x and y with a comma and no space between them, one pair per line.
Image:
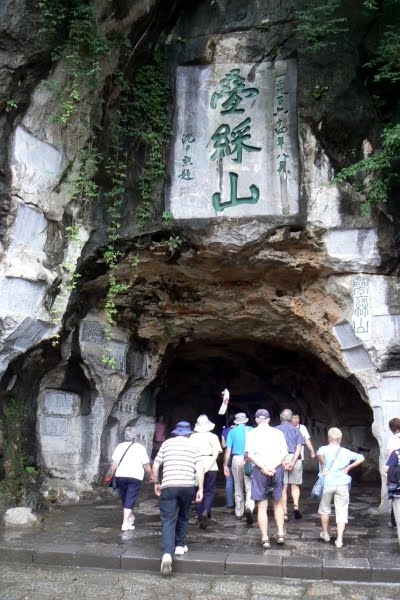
43,582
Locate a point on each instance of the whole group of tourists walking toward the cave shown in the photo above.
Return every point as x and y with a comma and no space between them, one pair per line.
261,464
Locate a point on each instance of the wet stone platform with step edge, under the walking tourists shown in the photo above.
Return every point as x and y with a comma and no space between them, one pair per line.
89,536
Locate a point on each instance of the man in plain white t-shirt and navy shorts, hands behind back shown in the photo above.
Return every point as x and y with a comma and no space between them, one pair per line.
266,447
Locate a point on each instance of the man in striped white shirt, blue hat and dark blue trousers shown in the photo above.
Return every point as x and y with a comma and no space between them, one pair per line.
182,464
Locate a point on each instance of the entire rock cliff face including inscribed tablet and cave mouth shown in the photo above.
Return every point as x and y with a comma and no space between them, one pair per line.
261,276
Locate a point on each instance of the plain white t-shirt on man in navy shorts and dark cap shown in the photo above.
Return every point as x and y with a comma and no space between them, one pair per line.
267,444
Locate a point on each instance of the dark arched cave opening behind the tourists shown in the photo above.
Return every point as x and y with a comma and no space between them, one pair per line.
259,375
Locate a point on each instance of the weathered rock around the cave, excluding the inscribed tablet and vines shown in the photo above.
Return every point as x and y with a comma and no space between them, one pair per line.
297,309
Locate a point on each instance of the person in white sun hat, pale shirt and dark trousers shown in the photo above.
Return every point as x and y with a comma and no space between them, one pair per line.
209,447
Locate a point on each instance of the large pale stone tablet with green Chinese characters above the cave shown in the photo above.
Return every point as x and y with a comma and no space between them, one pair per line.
235,148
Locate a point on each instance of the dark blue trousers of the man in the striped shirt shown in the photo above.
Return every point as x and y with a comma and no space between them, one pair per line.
175,512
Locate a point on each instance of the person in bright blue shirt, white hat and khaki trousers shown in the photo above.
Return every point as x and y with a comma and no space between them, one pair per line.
235,446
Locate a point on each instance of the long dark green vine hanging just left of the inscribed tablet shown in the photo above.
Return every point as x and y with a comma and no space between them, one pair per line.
143,119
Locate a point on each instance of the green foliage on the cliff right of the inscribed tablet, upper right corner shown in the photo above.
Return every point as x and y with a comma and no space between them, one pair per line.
319,27
